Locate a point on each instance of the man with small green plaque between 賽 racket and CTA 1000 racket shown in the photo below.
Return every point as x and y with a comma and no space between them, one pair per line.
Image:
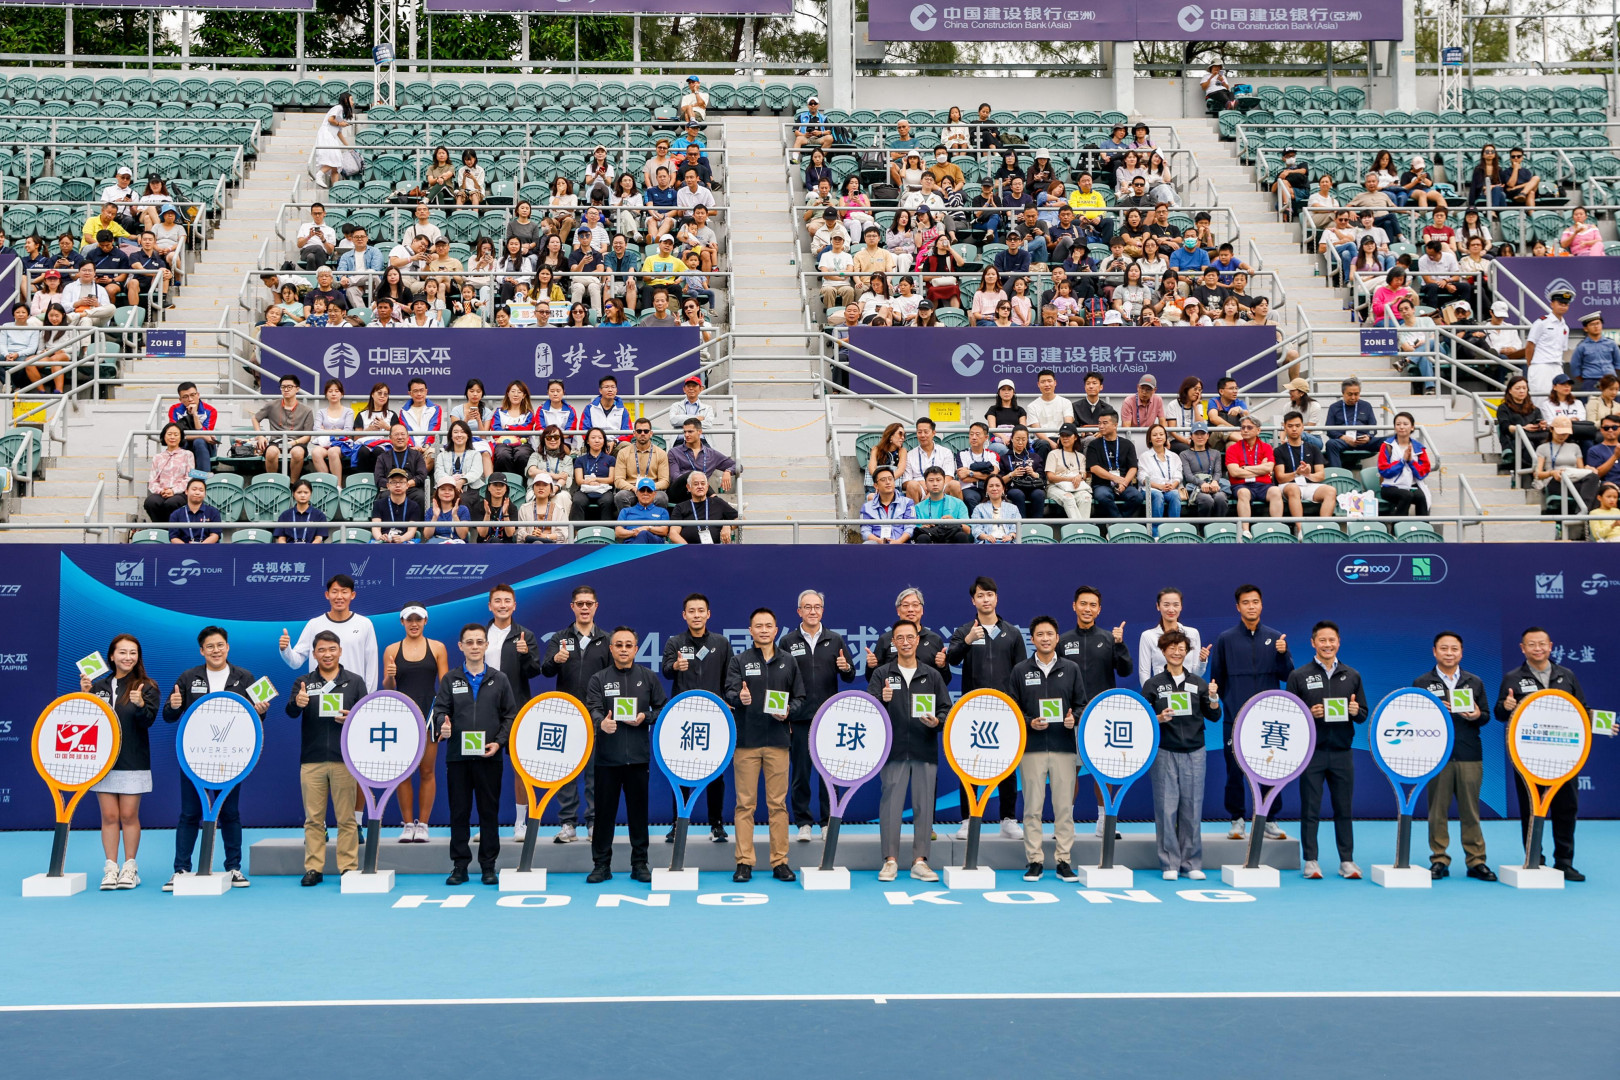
1336,699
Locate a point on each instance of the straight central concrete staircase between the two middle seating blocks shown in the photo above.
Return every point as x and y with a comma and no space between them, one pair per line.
772,362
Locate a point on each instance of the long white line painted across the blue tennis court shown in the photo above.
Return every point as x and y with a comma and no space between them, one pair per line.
655,1000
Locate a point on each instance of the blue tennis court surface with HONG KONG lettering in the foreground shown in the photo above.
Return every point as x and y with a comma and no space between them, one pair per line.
1162,972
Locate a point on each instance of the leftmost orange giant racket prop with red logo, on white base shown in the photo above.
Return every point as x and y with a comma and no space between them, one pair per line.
75,744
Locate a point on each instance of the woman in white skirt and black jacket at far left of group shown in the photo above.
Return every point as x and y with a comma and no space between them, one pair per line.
134,700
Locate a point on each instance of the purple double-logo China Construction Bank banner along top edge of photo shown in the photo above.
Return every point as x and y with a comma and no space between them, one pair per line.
1149,20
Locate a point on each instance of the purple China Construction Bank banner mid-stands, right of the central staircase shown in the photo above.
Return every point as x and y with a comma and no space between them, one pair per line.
973,360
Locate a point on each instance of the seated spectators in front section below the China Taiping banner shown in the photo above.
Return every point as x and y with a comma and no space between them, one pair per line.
453,475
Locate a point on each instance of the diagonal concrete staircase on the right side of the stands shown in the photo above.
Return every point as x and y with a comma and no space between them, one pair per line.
1449,427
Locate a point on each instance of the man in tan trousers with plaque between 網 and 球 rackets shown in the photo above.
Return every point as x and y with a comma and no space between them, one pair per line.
764,687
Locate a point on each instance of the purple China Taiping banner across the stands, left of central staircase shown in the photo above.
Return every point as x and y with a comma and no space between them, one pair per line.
448,359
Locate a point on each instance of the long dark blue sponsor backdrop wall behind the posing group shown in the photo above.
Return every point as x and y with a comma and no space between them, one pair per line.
59,605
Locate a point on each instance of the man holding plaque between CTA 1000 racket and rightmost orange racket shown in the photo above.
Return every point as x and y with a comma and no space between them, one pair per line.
1465,695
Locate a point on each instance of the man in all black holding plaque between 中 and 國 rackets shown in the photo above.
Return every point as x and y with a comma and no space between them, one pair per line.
474,712
